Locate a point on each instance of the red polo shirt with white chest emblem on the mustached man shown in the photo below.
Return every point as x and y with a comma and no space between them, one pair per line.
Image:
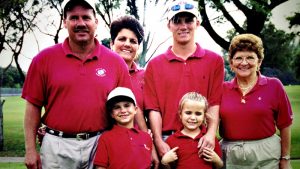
74,91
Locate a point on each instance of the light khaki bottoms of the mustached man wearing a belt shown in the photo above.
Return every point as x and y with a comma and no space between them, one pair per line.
67,153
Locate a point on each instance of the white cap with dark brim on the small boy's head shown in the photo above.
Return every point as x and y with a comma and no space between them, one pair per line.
120,92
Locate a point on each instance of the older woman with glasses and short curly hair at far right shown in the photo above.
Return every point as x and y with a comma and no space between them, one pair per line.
253,107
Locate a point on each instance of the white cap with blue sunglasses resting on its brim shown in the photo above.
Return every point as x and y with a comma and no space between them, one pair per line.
179,6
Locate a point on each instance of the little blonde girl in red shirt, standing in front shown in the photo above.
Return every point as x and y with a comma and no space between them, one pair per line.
183,143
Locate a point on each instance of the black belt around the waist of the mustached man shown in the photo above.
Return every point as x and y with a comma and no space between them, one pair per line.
79,136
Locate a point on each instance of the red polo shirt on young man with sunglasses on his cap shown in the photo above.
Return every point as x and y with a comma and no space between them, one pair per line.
168,78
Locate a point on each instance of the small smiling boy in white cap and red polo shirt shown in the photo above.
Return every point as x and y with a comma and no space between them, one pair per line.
123,146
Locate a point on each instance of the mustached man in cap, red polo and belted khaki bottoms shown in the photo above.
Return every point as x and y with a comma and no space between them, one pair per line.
71,80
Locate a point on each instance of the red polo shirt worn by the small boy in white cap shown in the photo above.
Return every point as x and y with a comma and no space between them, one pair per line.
124,148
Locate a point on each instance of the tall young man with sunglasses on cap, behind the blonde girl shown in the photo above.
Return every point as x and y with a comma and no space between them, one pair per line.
183,68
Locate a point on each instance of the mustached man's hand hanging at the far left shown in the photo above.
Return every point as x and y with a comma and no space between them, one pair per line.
33,160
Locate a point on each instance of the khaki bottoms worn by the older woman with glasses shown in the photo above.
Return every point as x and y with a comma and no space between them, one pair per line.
264,153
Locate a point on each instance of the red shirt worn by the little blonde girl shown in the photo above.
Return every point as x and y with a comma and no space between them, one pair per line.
188,152
